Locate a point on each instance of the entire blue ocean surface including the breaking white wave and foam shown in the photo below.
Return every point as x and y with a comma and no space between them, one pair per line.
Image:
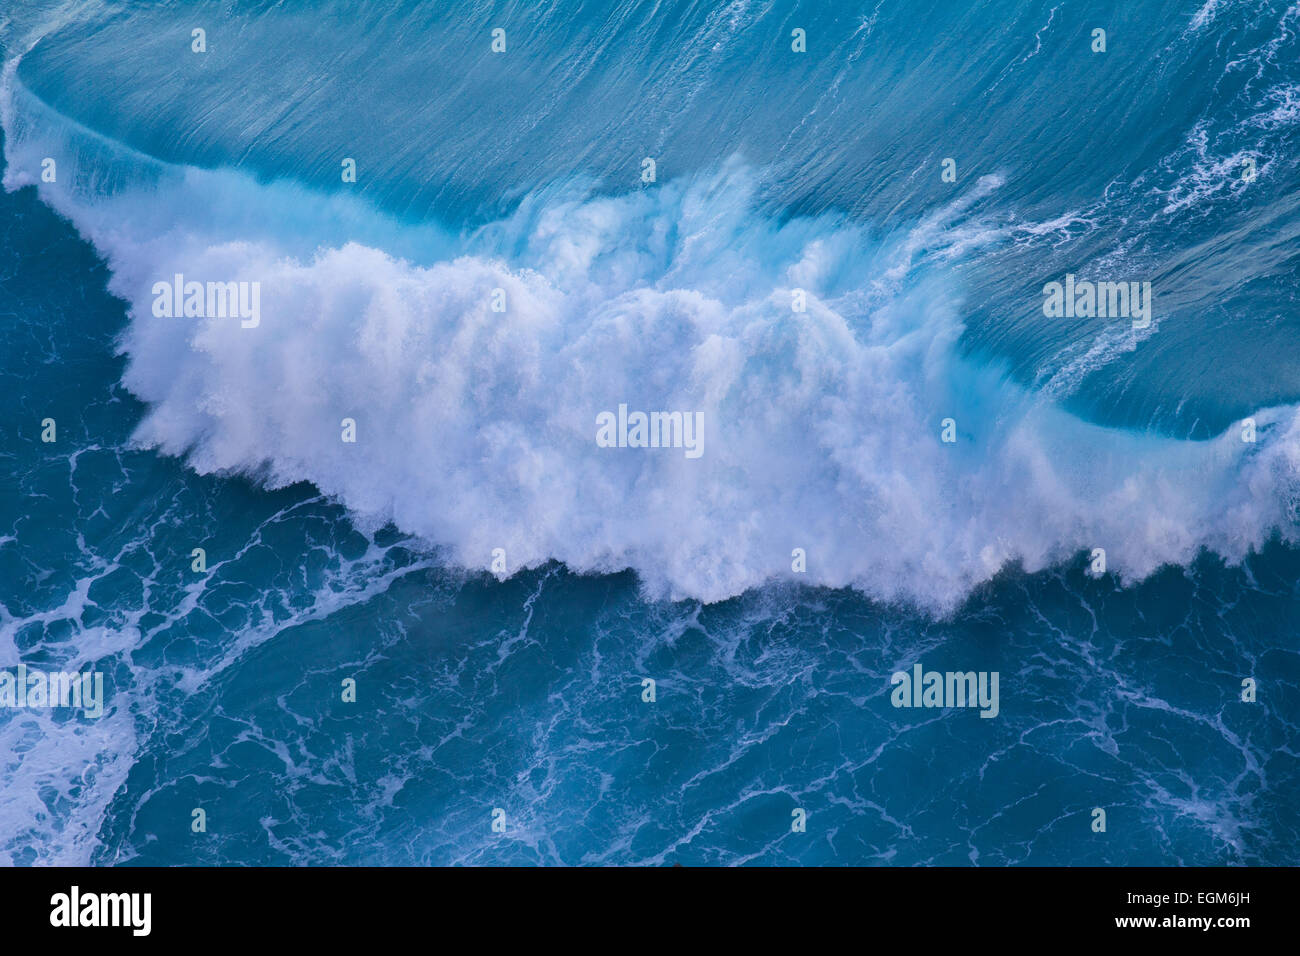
515,694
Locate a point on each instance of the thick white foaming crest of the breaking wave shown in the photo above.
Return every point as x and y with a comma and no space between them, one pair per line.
476,430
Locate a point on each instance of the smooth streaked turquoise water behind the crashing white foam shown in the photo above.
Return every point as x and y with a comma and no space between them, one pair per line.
1125,165
